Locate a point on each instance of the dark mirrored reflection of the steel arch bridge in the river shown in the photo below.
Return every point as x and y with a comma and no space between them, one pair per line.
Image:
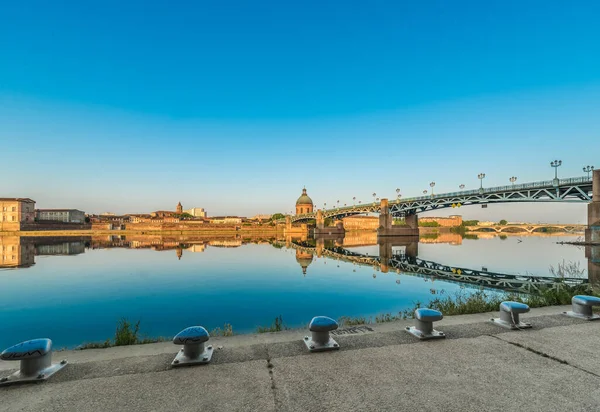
414,266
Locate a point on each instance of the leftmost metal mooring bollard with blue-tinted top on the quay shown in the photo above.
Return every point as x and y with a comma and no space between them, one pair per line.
36,361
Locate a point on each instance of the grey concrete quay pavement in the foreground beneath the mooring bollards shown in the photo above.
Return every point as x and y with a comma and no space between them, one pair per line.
479,367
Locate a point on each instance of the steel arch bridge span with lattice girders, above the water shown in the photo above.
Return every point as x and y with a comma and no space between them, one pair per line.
575,189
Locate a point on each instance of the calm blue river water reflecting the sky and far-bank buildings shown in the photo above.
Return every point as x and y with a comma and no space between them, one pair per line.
76,291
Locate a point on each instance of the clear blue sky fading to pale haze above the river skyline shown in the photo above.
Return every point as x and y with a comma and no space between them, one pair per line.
235,106
